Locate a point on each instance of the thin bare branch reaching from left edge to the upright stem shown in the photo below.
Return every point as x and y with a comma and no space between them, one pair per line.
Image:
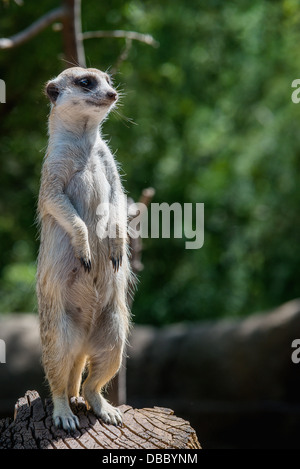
33,29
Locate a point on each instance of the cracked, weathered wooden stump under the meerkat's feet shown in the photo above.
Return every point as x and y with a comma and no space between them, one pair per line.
149,428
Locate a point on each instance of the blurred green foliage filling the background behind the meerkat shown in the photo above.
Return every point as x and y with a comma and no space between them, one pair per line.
215,124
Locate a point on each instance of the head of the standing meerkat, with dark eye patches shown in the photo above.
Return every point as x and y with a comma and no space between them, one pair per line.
82,92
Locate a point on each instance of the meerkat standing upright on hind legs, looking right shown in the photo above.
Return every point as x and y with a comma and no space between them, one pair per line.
82,276
